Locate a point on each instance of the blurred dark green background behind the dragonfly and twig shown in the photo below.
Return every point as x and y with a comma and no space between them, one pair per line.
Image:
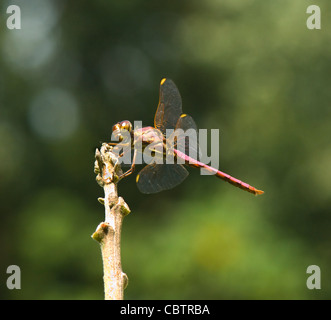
250,68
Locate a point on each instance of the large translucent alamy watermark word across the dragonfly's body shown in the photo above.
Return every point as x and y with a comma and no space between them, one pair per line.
176,146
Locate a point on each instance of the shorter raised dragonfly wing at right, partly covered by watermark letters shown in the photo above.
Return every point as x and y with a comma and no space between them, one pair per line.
186,139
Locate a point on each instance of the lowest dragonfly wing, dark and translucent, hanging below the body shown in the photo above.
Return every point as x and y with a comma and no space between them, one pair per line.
158,177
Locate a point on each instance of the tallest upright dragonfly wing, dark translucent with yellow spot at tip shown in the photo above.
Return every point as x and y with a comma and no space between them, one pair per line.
169,108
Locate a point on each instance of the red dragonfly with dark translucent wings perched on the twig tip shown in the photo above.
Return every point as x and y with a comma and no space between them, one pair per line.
156,177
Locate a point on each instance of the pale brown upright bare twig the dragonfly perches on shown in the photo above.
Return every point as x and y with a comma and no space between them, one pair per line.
108,233
